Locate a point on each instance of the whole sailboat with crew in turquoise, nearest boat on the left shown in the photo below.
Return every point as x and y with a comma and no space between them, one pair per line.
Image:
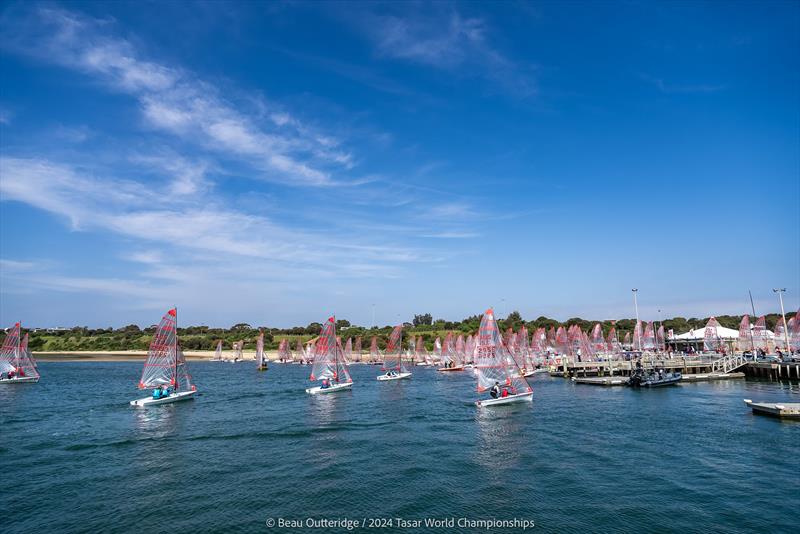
165,369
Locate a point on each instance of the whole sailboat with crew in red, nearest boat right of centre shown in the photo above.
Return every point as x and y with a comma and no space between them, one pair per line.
494,366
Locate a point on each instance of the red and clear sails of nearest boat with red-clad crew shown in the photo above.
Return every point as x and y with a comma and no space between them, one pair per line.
494,364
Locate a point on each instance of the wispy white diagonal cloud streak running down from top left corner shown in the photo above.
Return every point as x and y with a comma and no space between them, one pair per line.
175,101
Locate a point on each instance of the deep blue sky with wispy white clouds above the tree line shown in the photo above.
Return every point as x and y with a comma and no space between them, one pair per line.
274,163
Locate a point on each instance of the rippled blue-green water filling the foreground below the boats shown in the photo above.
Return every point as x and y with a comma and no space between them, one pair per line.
254,446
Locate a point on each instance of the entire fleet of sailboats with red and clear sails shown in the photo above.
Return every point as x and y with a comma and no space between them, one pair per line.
501,362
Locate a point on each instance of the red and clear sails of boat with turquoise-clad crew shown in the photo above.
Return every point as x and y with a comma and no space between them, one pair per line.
165,364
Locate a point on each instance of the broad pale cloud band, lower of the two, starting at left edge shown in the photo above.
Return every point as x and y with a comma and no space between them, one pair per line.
201,225
